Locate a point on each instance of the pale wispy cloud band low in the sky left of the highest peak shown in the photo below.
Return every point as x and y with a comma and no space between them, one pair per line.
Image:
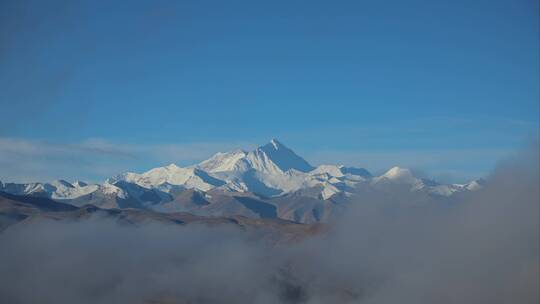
23,160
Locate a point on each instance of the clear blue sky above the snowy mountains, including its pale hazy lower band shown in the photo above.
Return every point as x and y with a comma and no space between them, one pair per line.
91,89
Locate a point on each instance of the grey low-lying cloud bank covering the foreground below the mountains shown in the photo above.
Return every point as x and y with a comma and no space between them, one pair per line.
483,248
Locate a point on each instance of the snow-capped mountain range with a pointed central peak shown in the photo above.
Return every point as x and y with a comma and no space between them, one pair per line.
269,181
